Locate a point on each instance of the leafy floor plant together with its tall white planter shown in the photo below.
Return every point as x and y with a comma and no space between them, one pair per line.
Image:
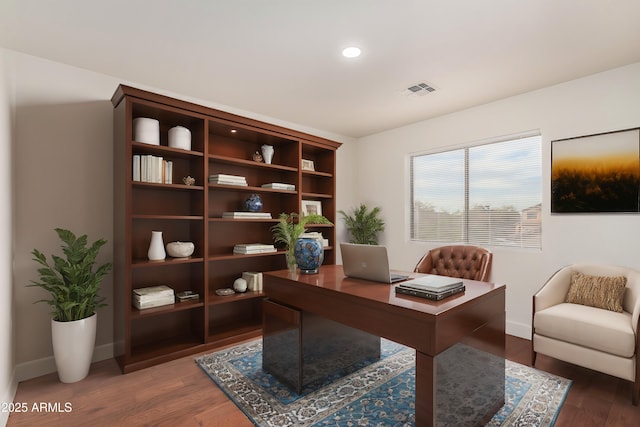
73,285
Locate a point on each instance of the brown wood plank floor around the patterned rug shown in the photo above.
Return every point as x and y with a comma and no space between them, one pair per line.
179,393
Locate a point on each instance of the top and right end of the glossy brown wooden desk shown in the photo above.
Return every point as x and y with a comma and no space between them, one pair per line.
473,320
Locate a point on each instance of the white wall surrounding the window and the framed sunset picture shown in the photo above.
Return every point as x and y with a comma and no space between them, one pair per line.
604,102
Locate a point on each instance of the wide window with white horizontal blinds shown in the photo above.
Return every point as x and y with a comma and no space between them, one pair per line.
489,194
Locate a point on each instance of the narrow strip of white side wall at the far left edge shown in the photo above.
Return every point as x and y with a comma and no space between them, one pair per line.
7,381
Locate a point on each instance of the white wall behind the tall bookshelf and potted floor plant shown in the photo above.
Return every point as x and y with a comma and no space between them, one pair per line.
64,171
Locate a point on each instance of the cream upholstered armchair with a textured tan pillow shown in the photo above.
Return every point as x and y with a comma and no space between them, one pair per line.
598,327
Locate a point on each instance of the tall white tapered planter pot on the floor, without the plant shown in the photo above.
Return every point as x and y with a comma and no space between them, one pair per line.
73,344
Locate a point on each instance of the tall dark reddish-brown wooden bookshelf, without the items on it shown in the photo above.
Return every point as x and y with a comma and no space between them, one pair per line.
221,143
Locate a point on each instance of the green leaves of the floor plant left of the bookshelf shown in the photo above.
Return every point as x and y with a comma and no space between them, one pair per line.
72,281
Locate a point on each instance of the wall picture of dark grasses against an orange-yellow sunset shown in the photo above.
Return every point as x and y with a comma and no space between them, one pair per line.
596,173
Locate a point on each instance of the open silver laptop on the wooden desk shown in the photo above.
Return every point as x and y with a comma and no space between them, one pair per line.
369,262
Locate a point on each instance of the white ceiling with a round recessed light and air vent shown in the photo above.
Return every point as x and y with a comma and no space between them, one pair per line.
281,58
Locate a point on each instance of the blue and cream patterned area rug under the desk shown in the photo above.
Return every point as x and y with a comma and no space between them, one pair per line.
379,394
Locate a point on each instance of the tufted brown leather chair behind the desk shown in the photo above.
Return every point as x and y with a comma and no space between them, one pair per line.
462,261
